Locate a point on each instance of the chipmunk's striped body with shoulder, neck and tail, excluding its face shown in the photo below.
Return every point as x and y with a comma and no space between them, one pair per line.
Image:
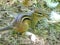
23,22
